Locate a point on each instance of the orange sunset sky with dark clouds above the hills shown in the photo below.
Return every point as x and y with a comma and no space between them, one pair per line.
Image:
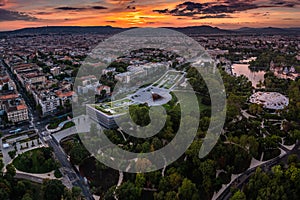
228,14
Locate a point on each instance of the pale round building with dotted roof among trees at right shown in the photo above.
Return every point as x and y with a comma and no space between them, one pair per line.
270,100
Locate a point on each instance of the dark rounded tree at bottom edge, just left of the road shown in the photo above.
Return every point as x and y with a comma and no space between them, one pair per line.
53,189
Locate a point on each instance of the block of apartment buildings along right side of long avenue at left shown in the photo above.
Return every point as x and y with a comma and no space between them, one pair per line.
48,93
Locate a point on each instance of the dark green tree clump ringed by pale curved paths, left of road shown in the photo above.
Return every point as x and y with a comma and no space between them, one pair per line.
37,161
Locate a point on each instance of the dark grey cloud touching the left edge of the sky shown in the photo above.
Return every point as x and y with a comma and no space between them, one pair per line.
7,15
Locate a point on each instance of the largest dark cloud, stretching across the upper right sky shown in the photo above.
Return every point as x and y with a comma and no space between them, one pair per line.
212,9
